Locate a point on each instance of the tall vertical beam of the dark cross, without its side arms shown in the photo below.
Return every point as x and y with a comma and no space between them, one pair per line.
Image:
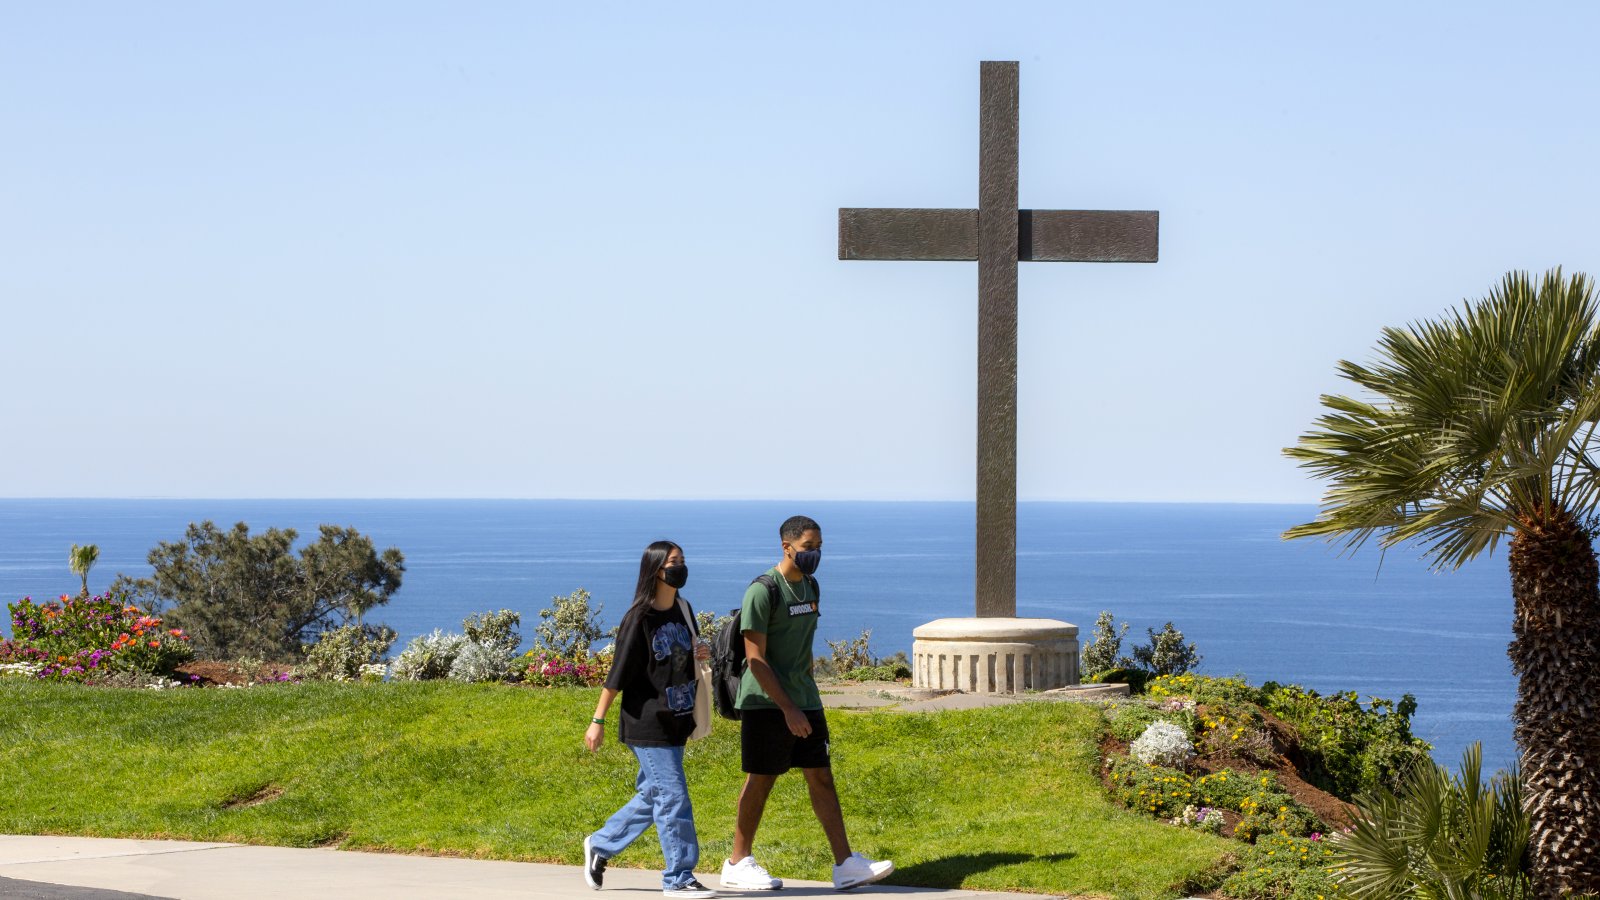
998,255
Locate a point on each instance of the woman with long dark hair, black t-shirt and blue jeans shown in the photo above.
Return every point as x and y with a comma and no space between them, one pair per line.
654,672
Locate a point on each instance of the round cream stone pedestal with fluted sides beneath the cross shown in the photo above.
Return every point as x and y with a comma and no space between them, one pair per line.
996,656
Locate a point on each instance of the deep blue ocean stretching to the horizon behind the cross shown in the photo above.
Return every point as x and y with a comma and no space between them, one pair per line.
1255,605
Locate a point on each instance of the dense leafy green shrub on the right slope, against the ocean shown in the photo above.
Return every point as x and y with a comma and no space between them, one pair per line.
1350,749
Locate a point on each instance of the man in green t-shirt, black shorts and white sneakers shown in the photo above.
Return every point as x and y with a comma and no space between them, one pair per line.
782,723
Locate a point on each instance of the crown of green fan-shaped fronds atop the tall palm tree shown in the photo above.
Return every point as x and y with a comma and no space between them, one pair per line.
1470,425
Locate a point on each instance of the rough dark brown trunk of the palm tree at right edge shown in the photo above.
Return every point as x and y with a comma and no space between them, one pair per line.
1556,653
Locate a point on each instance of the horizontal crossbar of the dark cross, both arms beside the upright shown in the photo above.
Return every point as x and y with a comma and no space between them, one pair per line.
1044,236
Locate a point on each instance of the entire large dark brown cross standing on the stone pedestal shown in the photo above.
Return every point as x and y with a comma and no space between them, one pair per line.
998,235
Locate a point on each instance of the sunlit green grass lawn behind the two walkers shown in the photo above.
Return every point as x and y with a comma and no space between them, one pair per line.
1002,798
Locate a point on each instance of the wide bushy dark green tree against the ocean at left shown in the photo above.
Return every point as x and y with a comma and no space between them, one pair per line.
241,595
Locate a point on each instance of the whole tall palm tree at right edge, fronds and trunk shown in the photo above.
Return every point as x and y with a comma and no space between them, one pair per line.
1481,427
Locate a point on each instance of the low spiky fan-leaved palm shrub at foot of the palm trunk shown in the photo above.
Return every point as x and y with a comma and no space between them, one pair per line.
1439,835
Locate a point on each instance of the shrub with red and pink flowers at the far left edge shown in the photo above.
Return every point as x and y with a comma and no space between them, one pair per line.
81,638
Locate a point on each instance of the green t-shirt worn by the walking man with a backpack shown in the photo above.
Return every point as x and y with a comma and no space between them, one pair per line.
790,632
